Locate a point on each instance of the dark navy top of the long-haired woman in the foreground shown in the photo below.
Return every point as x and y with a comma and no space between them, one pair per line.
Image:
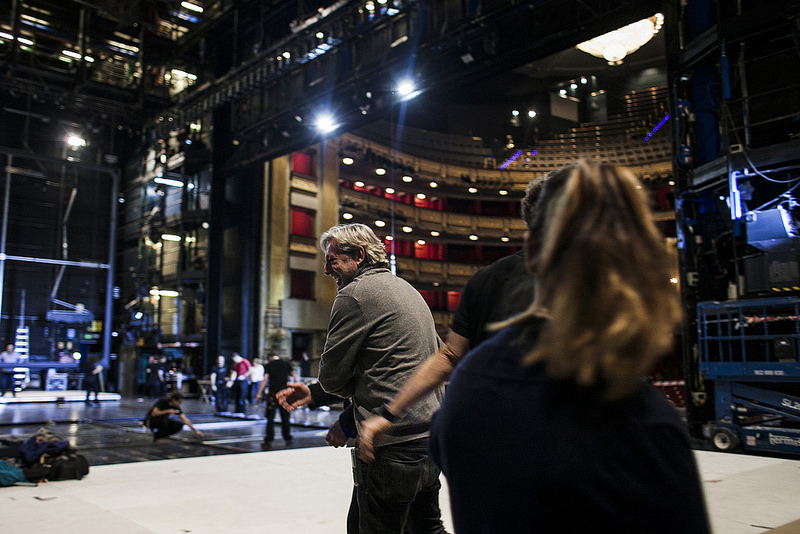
525,453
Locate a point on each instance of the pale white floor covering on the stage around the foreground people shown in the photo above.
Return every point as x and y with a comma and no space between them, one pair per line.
308,491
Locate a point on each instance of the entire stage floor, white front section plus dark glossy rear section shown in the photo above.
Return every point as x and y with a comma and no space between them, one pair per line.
225,483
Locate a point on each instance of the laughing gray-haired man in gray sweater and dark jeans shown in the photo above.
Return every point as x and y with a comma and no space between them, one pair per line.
380,331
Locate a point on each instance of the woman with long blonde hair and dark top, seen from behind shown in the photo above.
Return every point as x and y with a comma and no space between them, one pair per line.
548,426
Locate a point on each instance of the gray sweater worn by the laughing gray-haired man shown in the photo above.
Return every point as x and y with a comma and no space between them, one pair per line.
380,330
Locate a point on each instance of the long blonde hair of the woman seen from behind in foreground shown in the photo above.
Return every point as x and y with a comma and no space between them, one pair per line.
603,280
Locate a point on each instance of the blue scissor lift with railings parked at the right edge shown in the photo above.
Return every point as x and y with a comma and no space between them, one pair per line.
748,355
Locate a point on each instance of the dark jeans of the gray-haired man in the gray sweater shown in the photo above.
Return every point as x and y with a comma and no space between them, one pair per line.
399,492
